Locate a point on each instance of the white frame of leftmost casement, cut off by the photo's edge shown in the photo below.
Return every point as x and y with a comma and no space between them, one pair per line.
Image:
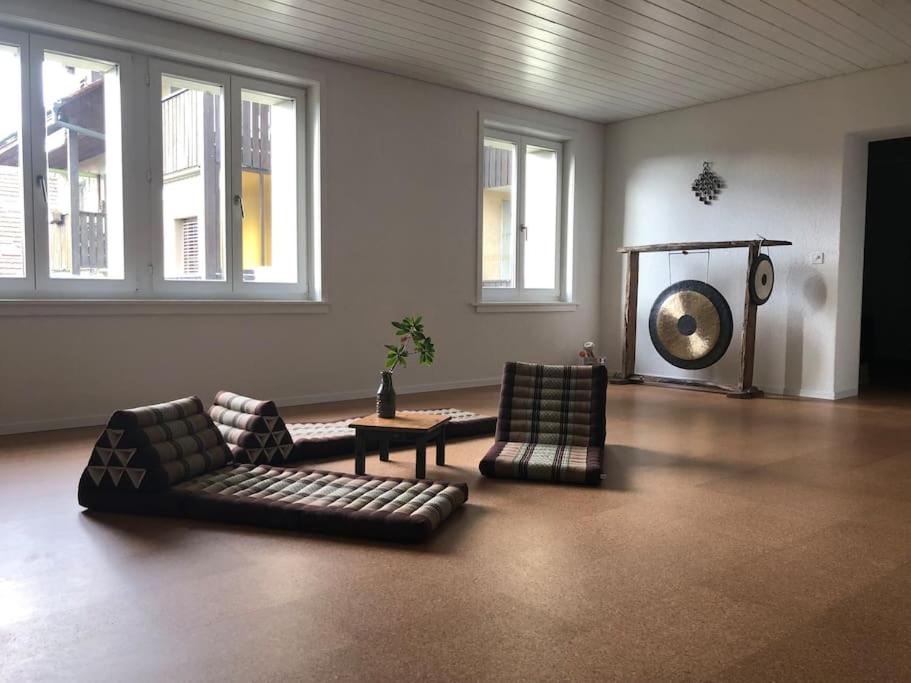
23,286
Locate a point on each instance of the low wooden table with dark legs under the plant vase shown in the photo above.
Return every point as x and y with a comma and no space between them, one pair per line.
421,427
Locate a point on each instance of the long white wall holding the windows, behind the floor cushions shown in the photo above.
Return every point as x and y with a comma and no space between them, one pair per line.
399,207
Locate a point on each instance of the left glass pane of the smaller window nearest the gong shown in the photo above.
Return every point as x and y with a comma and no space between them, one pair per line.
499,211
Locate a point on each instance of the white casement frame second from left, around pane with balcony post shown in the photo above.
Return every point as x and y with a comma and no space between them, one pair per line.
45,285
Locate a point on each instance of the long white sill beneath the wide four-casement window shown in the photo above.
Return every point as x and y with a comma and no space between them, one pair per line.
140,307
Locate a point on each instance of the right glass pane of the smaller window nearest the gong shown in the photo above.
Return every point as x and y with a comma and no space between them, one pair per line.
541,219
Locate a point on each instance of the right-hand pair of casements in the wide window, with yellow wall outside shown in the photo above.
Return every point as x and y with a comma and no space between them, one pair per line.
231,174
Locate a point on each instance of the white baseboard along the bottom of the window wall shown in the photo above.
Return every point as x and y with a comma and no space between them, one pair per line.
52,424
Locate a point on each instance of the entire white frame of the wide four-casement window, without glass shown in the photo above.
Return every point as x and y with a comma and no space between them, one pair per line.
143,238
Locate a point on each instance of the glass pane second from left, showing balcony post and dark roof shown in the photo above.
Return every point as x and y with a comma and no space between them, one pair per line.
84,167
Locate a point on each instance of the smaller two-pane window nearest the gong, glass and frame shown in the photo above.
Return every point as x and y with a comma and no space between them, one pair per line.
521,217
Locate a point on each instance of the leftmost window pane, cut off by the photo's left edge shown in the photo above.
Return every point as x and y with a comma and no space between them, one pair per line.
12,218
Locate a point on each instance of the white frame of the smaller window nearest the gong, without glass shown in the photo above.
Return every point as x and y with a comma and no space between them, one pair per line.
521,136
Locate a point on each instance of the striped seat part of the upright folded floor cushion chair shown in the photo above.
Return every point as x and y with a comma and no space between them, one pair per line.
544,462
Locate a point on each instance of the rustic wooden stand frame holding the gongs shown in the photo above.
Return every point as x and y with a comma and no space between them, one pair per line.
628,374
